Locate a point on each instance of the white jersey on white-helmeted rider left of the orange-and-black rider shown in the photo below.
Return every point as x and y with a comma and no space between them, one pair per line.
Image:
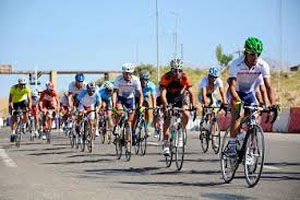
127,88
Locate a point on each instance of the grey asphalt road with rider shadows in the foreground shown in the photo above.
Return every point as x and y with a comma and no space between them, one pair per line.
38,170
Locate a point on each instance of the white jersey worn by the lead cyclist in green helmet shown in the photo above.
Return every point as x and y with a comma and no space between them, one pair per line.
248,79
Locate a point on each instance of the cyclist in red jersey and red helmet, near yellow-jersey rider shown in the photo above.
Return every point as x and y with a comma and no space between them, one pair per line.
49,104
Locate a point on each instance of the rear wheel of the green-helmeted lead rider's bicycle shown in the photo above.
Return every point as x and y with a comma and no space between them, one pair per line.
228,165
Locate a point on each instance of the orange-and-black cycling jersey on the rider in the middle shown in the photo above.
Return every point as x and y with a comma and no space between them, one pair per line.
174,87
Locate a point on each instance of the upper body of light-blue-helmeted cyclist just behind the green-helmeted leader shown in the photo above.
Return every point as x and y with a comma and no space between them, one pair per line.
209,86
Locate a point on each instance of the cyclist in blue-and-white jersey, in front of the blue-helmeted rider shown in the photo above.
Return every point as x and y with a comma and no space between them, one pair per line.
89,101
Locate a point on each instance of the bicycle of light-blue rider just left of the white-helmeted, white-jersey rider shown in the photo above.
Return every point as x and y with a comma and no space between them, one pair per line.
103,127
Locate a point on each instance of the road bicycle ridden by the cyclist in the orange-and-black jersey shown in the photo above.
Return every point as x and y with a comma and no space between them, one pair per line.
178,136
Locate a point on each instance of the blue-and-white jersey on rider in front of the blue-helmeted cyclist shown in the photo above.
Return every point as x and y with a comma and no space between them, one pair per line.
86,100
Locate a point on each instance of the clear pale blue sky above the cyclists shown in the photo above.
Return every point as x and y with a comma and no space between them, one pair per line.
104,34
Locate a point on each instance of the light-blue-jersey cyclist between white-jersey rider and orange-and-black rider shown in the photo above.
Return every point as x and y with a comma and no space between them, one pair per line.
148,89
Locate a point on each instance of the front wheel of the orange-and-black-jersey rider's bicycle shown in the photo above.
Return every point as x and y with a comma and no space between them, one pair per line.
179,147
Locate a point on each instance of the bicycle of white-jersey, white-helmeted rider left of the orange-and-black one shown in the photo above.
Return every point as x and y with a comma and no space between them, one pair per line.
123,135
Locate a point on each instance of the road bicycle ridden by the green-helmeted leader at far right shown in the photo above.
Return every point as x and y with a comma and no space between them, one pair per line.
251,149
